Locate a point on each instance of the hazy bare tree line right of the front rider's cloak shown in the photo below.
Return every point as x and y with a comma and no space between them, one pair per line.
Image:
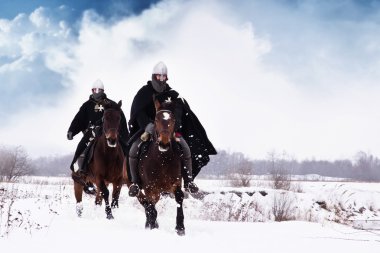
363,167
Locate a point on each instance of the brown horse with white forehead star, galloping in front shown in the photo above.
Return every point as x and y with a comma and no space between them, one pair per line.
160,168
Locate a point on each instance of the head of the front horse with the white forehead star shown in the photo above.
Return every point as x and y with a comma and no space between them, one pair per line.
164,123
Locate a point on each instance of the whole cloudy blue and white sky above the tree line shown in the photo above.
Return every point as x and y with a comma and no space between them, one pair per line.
262,76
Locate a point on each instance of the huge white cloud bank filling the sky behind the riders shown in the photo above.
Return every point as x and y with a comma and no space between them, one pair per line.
224,67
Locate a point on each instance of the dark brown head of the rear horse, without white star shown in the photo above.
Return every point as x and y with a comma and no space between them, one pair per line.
111,122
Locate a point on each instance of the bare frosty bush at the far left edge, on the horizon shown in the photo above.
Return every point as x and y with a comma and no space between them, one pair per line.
14,163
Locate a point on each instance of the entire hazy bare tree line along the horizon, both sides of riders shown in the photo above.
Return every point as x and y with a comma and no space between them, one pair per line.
14,163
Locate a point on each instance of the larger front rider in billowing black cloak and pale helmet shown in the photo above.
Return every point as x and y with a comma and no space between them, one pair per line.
192,137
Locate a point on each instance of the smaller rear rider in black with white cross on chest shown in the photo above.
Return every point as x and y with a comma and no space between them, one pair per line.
89,121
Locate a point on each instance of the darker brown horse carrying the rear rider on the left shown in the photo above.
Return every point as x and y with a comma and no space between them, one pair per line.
107,163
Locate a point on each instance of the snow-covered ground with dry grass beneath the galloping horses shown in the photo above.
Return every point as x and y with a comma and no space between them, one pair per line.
43,219
